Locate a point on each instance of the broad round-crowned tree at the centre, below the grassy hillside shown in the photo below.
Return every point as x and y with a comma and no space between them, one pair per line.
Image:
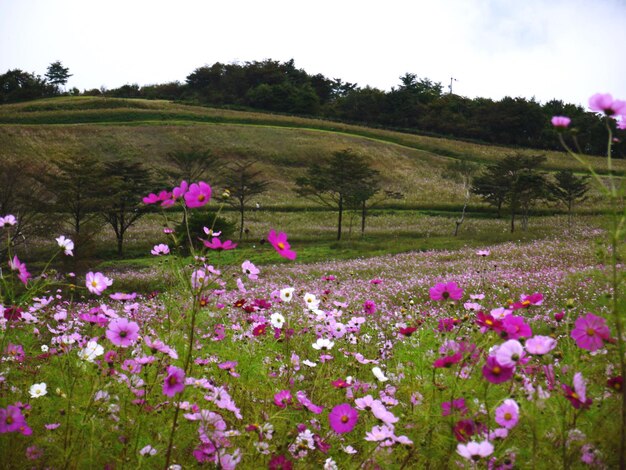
335,182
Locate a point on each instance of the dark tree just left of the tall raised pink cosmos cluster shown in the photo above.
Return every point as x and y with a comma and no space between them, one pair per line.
128,183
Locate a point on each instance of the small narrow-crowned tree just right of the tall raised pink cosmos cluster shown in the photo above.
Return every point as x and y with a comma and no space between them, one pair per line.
243,182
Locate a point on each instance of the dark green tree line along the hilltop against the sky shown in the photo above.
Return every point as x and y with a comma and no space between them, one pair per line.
415,104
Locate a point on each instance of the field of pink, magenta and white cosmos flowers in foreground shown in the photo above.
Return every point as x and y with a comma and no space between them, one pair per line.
507,356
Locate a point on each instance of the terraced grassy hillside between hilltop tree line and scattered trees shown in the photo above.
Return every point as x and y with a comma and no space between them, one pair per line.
148,130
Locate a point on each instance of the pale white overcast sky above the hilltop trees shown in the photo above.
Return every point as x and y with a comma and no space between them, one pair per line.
564,49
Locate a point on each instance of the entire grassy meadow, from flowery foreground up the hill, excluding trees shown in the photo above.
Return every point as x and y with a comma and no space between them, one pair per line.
403,348
